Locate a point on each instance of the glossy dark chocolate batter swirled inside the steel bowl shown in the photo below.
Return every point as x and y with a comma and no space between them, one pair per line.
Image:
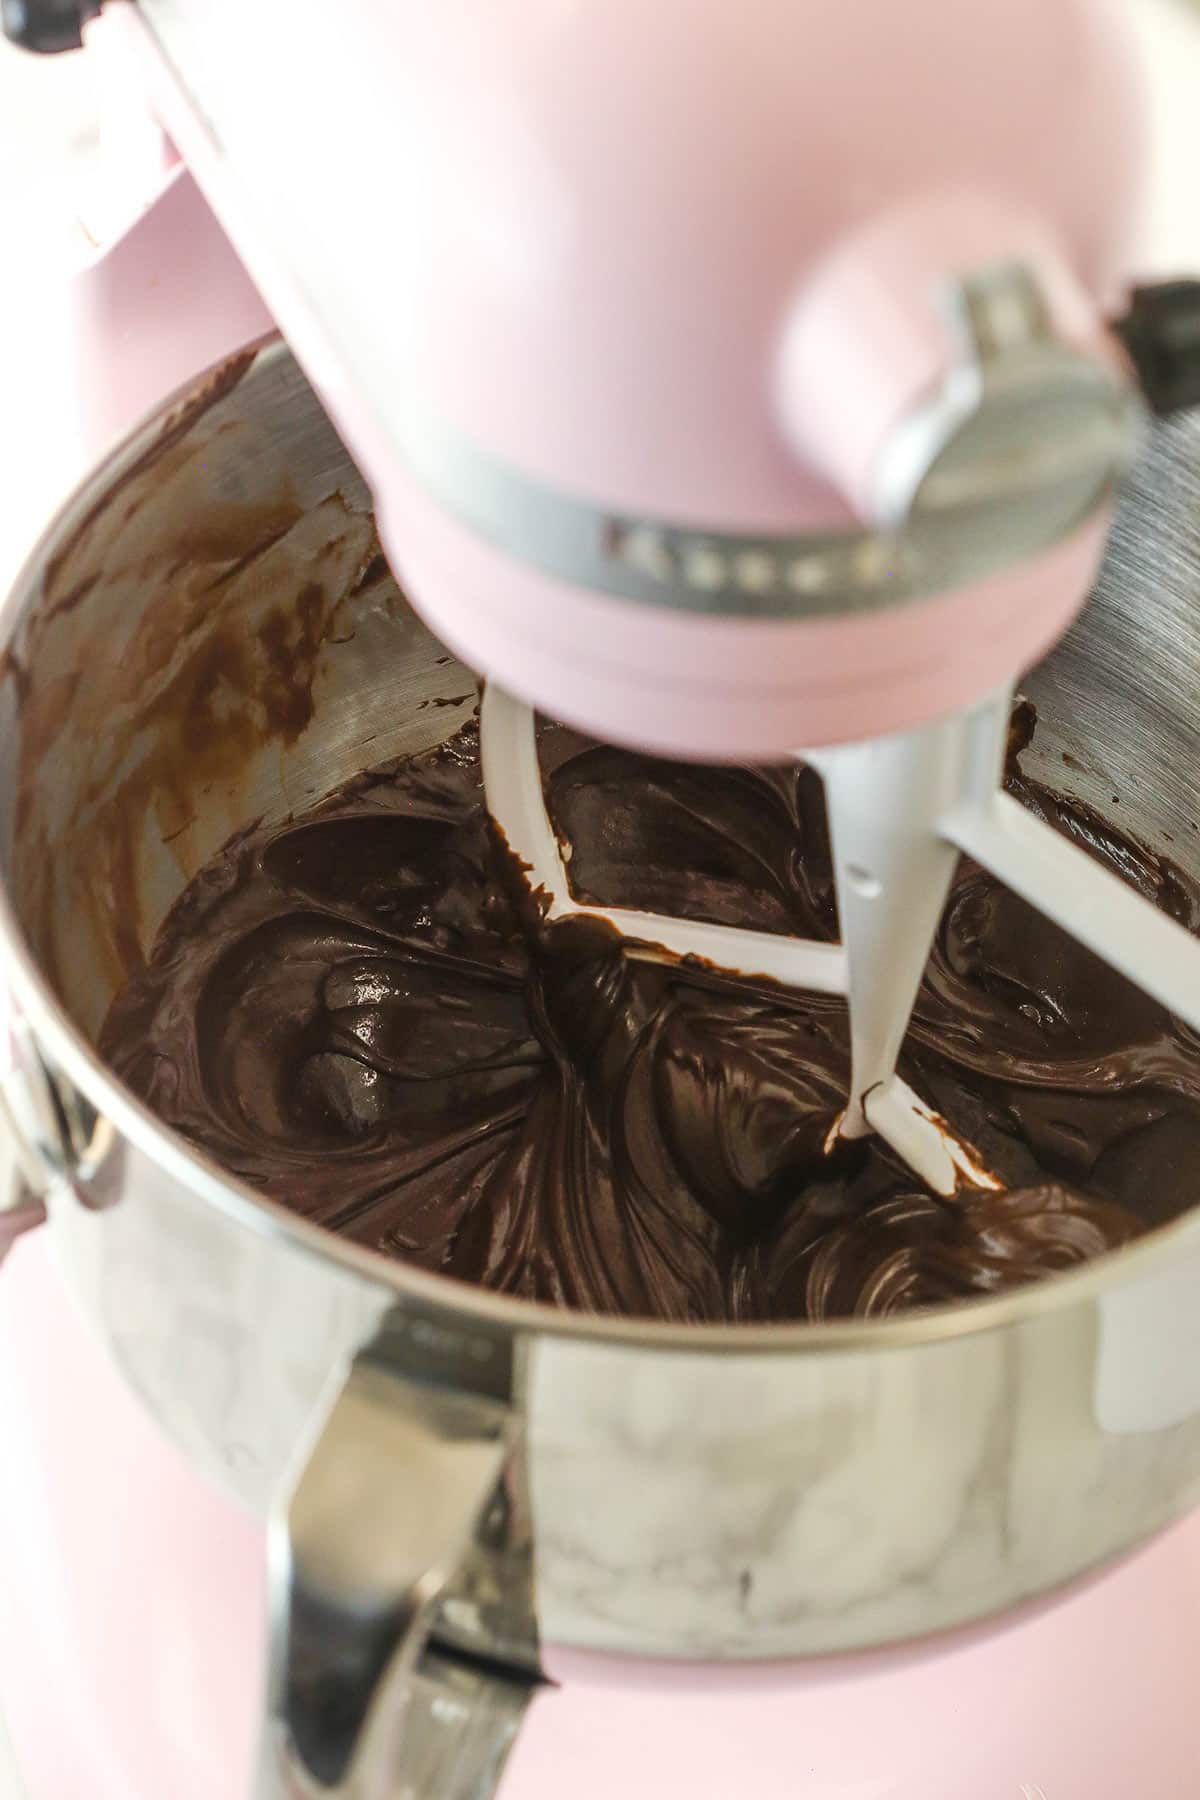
363,1014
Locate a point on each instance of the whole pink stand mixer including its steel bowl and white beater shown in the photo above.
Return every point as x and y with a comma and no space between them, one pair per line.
737,384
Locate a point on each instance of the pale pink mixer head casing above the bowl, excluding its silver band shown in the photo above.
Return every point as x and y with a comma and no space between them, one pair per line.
708,307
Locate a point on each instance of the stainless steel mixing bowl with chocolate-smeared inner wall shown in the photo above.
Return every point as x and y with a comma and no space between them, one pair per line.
519,1475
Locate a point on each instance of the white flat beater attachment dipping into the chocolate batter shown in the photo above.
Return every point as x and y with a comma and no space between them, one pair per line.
900,811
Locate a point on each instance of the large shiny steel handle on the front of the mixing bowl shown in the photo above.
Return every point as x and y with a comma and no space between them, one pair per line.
363,1543
